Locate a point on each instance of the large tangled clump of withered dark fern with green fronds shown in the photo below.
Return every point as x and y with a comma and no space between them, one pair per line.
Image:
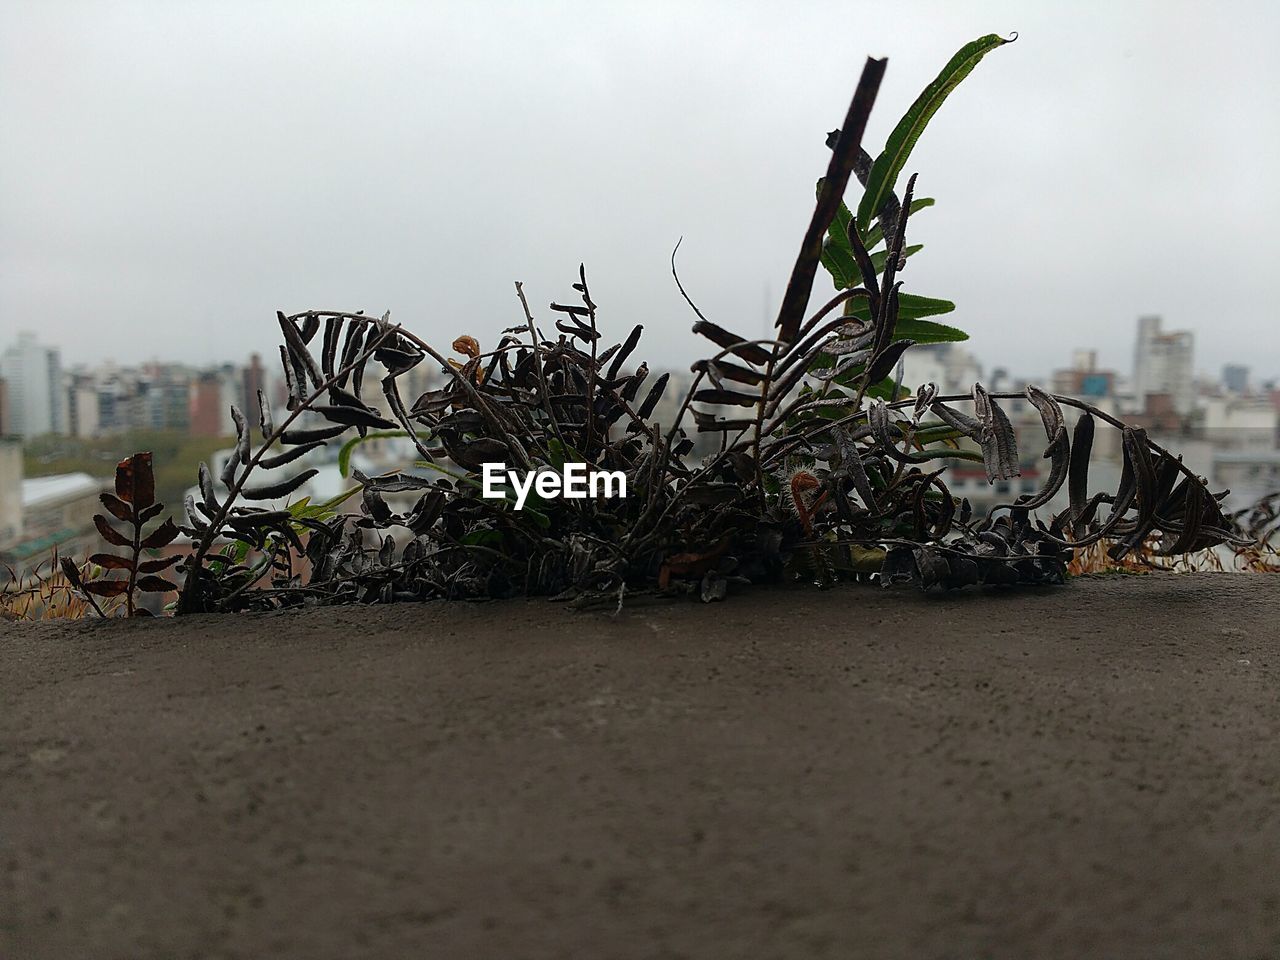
826,467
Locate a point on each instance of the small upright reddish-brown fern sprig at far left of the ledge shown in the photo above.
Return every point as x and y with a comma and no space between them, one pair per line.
132,504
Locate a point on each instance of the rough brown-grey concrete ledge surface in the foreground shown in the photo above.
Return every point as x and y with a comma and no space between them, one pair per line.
1080,772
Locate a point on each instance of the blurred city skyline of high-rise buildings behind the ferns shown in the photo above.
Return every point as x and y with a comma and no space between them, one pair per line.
40,396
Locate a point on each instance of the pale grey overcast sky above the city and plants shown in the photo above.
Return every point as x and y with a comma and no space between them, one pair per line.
176,172
